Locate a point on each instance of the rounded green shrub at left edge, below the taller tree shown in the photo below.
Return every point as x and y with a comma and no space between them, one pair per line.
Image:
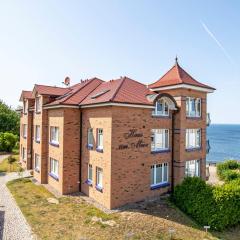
7,141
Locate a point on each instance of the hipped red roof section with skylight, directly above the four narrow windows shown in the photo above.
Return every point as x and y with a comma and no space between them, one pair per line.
123,90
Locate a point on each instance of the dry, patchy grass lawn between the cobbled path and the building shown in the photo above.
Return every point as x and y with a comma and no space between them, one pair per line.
72,218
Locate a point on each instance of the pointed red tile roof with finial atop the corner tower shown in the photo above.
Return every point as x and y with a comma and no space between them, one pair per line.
177,75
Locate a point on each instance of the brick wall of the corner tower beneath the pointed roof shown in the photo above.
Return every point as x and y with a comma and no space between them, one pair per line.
182,122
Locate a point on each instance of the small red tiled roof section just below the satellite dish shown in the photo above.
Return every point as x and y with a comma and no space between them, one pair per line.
49,90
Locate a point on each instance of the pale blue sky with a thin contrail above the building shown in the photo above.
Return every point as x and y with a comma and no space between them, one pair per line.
44,41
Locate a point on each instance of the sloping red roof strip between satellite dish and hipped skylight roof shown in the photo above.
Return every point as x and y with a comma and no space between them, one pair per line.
77,93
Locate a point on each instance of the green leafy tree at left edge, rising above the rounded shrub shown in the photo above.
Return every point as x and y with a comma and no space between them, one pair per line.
9,119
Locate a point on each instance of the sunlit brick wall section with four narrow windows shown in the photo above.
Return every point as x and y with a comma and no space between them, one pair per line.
97,118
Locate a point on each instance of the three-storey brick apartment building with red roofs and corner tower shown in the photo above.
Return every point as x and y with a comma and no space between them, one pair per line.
118,141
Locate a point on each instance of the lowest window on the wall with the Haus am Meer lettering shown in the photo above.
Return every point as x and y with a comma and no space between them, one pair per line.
159,174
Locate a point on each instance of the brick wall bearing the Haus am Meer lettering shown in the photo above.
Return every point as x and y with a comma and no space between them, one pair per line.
131,167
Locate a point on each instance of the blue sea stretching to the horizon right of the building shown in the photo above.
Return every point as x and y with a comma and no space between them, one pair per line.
224,142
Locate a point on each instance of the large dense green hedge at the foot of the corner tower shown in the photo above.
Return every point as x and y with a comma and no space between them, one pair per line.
218,207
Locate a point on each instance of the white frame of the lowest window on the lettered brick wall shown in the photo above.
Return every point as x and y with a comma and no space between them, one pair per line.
164,167
